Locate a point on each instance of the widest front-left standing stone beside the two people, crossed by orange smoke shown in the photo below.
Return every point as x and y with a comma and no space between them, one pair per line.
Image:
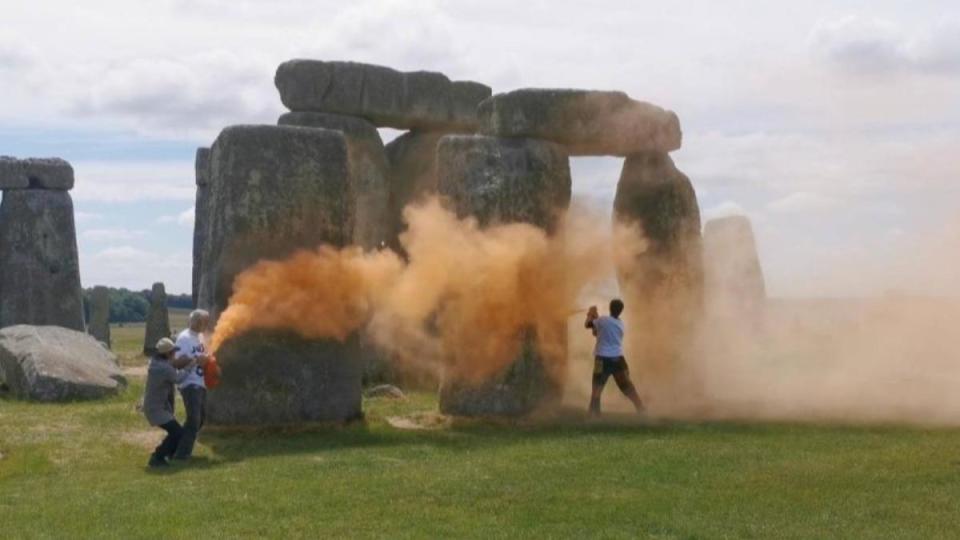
275,190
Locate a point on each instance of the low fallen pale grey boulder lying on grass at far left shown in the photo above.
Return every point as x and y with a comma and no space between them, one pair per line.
49,363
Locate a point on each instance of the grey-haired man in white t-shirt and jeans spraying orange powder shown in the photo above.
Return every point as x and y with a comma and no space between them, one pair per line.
191,344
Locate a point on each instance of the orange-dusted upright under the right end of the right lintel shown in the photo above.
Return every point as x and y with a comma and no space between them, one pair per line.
661,286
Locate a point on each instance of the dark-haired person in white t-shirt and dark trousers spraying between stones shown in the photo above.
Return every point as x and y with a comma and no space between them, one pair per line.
608,356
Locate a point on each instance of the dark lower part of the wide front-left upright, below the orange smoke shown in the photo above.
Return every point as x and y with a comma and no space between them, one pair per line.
278,378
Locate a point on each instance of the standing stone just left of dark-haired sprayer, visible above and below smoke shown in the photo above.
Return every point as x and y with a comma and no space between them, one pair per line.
505,181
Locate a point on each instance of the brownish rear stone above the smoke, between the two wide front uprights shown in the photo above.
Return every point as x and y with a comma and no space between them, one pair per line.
413,175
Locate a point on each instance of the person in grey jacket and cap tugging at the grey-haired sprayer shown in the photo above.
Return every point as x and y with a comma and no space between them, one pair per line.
162,377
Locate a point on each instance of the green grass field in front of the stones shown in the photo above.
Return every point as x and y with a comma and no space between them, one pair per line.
78,470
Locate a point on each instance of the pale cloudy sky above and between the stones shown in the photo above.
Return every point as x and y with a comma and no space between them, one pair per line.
833,125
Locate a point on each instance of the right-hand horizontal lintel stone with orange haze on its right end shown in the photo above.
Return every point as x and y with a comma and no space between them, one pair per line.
586,122
